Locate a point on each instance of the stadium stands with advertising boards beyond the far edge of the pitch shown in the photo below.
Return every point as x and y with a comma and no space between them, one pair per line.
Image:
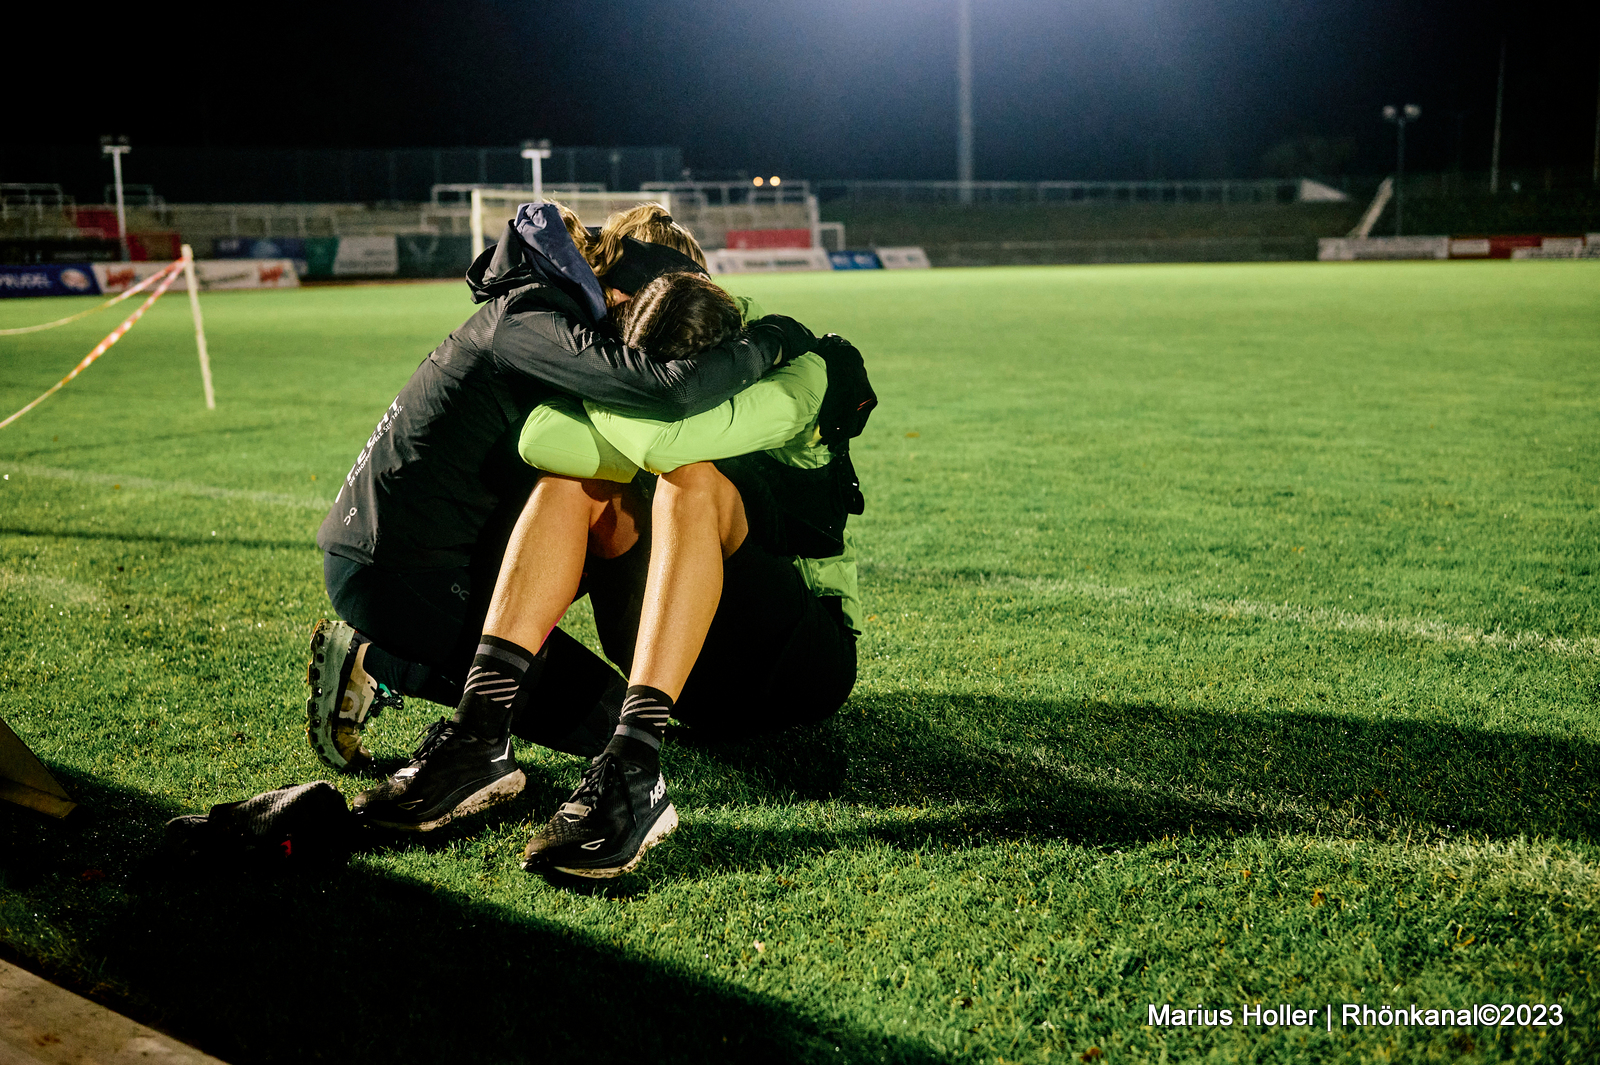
418,213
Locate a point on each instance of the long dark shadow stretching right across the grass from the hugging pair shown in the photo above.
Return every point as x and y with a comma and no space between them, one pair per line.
1105,775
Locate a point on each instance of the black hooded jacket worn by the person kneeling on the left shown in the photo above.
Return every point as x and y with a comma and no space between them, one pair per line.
444,457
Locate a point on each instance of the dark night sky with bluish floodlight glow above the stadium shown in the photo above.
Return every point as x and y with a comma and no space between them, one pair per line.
852,89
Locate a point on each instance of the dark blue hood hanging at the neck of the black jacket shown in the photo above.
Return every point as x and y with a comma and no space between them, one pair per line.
537,250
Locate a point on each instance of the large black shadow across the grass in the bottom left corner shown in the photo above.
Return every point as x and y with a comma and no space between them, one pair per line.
345,965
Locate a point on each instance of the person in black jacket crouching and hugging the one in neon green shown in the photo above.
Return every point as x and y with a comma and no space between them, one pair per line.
415,538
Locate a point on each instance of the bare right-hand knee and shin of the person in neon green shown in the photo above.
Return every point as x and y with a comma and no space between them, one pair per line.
698,522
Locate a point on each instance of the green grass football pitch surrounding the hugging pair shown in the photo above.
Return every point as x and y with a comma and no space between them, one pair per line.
1234,640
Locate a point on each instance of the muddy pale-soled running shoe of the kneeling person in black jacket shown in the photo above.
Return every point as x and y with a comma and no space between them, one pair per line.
343,696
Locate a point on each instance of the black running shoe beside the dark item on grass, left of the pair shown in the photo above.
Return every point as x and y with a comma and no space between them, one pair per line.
452,775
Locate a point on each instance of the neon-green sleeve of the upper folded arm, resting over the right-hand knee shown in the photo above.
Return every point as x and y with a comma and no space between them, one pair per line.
774,412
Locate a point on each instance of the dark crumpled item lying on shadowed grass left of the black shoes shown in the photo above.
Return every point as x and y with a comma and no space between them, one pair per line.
287,829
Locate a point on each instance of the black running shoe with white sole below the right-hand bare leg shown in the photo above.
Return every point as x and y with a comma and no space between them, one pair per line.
618,812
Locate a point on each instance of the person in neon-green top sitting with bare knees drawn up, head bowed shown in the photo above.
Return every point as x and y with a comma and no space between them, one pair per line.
750,608
